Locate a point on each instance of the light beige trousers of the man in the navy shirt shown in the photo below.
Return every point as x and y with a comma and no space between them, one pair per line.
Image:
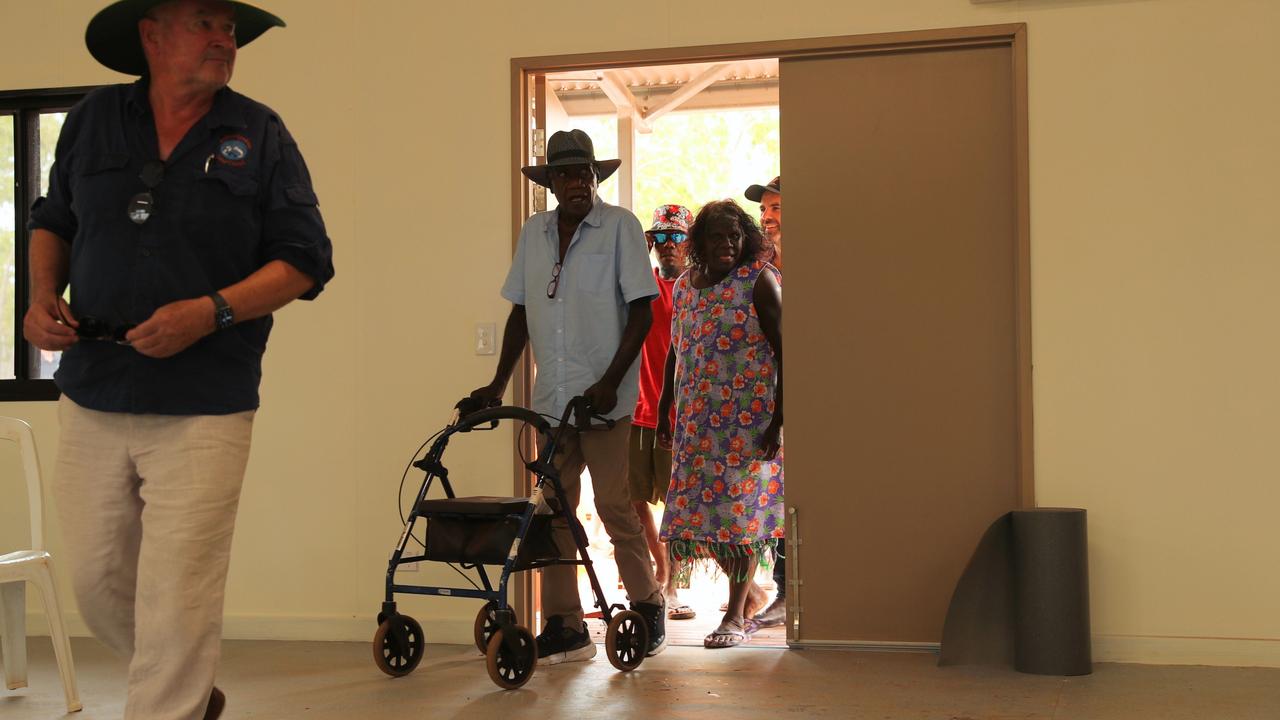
148,507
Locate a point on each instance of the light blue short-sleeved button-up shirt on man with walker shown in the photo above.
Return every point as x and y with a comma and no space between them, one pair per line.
577,334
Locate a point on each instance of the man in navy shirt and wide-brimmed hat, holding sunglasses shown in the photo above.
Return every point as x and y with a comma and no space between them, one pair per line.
181,215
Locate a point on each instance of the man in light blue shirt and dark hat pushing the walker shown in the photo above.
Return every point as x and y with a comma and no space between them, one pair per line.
580,288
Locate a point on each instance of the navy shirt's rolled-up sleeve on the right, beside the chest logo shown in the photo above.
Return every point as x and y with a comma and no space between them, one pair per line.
292,227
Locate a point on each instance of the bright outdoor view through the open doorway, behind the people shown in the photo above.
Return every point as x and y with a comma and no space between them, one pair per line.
687,135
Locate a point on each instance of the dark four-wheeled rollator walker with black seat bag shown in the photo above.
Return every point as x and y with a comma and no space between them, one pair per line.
477,532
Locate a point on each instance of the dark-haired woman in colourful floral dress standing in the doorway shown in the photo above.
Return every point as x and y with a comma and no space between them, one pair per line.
725,376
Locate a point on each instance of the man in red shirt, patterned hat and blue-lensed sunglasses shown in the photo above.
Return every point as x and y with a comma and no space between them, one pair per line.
651,466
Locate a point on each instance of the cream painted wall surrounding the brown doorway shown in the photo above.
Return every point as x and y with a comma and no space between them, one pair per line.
1155,145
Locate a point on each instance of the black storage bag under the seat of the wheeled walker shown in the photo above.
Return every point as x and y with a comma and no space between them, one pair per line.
481,530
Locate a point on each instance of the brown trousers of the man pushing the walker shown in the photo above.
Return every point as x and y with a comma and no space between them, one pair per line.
605,454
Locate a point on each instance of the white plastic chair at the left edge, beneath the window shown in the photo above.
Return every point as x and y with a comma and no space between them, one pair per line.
25,567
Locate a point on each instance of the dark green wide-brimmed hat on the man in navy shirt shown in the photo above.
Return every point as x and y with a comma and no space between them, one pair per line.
113,38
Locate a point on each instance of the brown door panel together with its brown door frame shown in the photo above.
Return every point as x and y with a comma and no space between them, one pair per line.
911,427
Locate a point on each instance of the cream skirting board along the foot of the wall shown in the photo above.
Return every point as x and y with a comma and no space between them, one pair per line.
1231,653
